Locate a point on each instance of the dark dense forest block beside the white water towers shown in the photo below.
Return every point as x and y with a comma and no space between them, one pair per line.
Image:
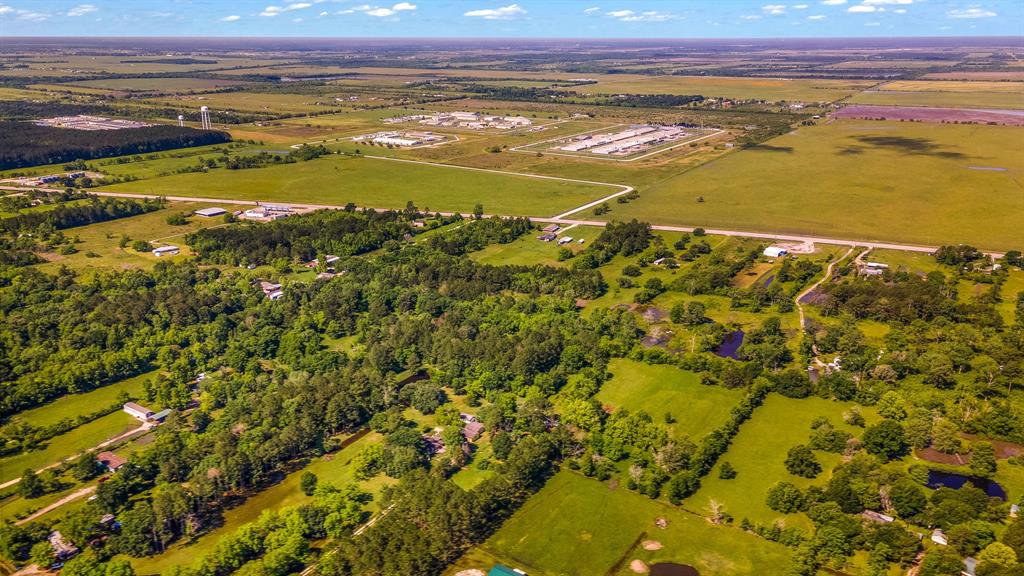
24,144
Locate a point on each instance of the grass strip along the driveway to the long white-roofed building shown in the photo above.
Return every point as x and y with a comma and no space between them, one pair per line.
68,444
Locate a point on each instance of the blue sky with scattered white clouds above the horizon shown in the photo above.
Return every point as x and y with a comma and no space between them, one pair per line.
547,19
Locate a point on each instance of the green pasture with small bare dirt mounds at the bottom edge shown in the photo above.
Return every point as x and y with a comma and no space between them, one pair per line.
578,526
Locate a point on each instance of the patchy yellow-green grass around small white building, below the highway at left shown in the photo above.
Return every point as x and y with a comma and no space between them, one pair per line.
103,239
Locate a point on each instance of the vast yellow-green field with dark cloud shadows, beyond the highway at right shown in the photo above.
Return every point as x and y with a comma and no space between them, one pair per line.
898,182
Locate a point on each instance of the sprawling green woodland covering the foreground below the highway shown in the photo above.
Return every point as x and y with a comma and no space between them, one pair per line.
514,342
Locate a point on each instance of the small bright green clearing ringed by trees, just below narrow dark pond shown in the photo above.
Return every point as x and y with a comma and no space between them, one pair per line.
657,390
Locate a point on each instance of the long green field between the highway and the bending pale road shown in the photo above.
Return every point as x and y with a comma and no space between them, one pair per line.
379,184
